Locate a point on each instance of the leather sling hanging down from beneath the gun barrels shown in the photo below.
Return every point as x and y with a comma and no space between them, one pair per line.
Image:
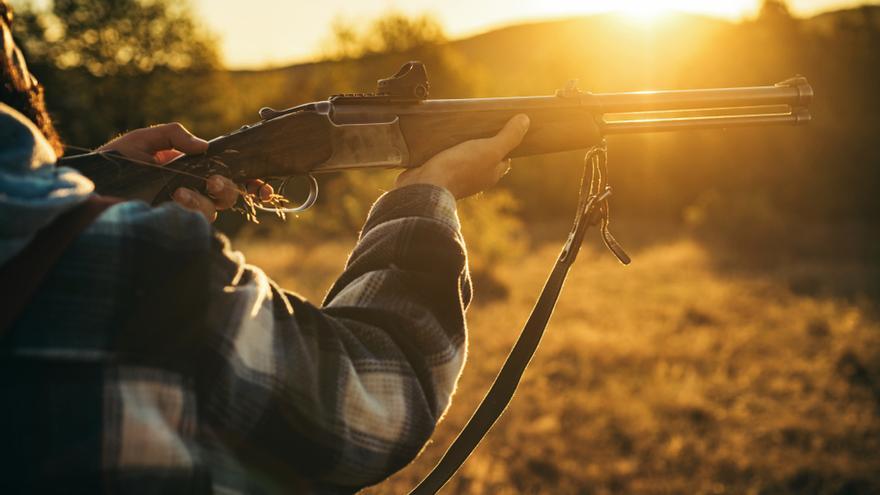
592,207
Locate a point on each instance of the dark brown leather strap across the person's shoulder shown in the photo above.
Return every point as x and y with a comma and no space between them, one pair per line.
22,275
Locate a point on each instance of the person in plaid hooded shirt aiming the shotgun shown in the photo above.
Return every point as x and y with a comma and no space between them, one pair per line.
152,359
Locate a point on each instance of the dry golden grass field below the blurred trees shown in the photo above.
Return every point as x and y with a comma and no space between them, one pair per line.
690,371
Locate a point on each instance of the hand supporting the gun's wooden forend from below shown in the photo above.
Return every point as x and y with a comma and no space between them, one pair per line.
472,166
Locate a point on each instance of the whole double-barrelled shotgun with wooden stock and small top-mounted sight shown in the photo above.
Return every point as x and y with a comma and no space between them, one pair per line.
400,127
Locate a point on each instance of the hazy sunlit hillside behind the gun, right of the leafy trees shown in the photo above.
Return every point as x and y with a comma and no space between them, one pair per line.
758,172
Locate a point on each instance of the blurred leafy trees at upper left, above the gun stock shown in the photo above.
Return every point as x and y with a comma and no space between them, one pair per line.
113,66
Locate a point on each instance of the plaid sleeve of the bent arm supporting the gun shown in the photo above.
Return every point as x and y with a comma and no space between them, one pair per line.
347,392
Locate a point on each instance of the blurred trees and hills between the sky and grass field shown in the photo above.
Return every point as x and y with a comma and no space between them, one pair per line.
115,65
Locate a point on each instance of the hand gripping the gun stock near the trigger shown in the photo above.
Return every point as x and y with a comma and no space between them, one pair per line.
162,143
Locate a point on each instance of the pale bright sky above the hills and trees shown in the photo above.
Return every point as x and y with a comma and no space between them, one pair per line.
280,32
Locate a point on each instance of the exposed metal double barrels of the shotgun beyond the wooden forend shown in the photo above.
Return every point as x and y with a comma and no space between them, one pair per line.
784,103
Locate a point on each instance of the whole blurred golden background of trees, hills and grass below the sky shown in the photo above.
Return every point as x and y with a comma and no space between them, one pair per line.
739,353
